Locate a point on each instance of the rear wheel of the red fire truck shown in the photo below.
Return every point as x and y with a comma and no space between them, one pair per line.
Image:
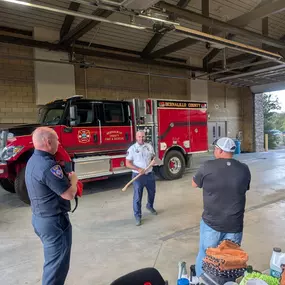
174,165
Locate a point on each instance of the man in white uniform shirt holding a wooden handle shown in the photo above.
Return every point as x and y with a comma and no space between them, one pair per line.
139,156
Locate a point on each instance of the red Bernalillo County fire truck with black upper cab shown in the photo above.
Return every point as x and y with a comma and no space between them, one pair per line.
94,136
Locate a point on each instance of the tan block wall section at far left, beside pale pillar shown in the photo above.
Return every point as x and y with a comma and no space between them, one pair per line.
17,96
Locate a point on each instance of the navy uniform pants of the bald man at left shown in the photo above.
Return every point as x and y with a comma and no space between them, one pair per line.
56,236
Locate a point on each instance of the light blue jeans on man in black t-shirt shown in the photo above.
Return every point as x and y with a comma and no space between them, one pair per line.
211,238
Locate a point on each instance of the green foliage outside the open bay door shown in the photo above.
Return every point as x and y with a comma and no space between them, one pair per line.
272,119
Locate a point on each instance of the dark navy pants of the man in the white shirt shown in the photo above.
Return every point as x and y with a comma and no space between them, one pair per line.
148,181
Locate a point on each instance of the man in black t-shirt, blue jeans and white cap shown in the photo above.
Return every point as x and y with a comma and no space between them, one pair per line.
224,182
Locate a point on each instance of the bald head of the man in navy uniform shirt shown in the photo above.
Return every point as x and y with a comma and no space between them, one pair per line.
45,139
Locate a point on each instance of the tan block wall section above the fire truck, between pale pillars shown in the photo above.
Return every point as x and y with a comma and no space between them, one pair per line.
120,85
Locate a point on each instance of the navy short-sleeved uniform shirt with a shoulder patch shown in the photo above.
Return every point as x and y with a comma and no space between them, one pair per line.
45,183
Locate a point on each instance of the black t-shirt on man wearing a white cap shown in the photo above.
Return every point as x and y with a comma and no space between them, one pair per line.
224,183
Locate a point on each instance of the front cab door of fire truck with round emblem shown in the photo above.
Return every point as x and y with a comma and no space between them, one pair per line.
85,136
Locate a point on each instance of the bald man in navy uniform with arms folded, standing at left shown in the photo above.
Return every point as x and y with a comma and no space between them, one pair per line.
50,192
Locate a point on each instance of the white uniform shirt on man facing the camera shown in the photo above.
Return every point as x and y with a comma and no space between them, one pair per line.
141,155
